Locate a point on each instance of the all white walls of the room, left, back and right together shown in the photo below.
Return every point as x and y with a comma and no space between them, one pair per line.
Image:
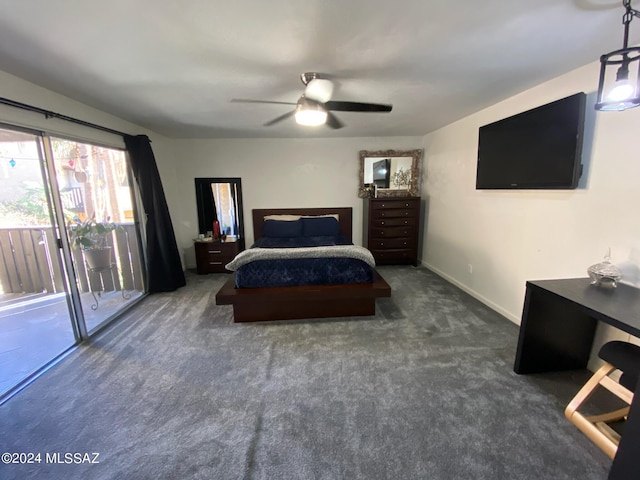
508,237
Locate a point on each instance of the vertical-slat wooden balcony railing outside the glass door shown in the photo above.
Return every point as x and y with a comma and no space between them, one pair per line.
29,262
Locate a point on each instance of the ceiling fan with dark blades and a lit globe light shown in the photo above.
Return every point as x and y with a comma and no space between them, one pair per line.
315,106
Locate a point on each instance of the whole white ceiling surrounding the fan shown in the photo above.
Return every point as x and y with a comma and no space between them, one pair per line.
174,65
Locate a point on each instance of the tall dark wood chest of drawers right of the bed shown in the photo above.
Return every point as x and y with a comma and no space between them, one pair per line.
391,229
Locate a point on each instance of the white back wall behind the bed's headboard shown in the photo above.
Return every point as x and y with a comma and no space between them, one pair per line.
275,173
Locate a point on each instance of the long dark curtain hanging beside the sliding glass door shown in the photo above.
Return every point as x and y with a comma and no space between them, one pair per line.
164,269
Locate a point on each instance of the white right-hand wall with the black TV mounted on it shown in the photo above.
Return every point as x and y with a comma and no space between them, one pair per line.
510,237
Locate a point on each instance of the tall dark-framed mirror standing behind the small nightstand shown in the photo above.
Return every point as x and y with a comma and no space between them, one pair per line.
220,199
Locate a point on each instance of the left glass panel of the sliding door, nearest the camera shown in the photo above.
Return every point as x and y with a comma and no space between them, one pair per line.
36,324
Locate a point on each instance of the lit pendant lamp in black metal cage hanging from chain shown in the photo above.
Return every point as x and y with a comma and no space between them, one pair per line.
623,92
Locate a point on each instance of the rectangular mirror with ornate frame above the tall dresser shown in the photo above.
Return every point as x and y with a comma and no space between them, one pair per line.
390,173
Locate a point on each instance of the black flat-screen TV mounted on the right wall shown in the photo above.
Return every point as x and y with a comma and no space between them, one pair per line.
537,149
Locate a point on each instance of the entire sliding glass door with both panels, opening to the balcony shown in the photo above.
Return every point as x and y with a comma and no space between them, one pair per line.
70,249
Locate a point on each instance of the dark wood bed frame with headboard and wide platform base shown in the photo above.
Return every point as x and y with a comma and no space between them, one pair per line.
313,301
